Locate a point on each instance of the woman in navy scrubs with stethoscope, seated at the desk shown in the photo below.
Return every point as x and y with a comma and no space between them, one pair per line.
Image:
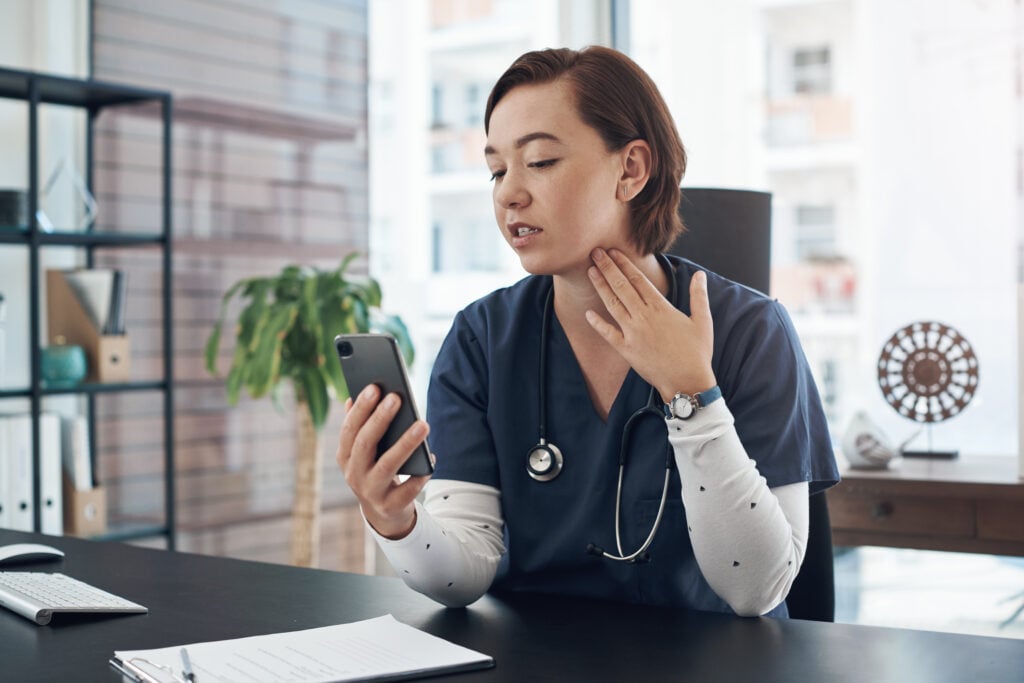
542,390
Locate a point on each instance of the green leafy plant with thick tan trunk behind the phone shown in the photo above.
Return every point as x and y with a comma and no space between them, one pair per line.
285,332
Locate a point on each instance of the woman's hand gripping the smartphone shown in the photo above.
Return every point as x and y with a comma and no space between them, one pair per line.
388,503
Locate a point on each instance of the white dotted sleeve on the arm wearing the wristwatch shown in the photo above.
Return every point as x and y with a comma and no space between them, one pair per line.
749,540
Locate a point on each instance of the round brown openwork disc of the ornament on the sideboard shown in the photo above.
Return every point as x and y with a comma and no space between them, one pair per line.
928,372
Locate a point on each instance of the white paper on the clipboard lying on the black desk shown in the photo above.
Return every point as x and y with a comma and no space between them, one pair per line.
380,649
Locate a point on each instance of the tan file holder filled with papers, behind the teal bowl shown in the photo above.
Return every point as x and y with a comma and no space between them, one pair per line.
74,318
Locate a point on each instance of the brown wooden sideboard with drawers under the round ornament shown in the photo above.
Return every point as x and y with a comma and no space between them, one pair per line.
974,504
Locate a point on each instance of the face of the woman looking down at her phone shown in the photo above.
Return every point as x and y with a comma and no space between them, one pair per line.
554,184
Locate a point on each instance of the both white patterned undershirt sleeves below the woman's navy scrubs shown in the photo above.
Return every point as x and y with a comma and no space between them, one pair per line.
749,540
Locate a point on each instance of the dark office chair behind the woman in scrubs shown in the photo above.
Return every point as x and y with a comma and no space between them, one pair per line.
730,233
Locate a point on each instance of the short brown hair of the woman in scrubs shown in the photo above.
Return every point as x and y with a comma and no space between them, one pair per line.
620,101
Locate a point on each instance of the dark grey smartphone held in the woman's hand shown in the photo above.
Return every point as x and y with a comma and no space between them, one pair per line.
375,359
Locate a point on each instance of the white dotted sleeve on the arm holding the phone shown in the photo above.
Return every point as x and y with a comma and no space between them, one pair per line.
453,551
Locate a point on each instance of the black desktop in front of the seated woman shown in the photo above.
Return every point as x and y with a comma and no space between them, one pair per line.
196,599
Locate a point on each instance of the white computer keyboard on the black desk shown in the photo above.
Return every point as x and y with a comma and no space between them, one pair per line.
38,595
